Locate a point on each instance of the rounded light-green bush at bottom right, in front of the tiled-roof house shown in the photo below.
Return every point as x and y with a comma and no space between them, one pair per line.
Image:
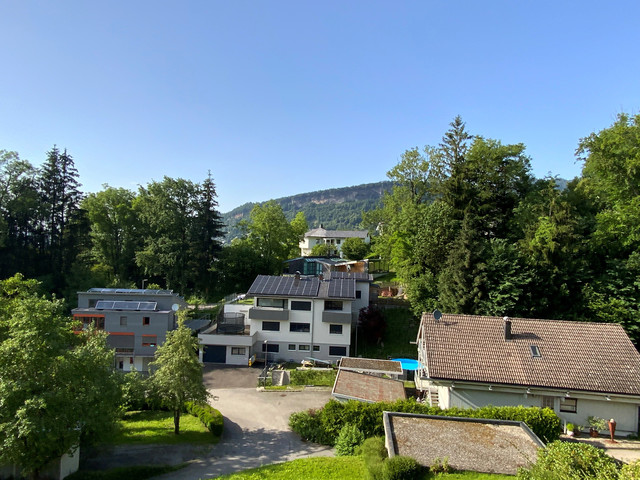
568,461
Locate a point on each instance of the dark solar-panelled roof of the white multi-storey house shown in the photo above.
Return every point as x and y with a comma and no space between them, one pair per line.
304,286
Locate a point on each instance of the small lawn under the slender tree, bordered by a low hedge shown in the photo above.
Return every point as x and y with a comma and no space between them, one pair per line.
157,427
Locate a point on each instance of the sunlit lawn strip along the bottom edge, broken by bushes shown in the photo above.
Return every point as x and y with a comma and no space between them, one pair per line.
337,468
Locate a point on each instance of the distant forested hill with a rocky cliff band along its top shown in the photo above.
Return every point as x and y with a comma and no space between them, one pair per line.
336,208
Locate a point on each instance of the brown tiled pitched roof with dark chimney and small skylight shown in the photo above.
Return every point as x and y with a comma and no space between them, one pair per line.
597,357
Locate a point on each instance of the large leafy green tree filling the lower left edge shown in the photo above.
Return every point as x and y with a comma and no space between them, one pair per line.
57,388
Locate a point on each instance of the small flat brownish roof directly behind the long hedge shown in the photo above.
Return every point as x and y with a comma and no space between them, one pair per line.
369,388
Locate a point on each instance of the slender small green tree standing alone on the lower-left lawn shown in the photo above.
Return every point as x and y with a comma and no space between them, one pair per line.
177,372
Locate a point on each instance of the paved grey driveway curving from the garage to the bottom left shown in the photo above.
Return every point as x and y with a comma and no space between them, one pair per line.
255,431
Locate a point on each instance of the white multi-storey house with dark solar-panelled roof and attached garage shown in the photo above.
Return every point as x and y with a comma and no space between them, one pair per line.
292,318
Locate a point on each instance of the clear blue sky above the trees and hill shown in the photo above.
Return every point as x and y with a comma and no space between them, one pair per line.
285,97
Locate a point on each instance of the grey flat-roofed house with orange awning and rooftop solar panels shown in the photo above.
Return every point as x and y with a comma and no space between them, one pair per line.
137,321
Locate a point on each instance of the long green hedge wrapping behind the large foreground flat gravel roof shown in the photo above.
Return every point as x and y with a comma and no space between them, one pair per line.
324,425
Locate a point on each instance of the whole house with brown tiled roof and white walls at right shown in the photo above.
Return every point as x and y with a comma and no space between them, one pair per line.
579,369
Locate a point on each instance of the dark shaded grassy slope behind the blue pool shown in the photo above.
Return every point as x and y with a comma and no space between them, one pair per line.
402,328
